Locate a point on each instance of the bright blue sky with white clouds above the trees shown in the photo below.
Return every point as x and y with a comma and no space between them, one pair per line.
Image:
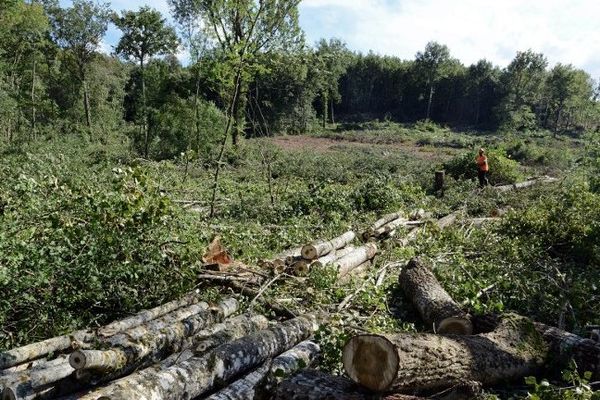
566,31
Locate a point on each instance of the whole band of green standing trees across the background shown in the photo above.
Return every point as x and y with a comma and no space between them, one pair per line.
250,73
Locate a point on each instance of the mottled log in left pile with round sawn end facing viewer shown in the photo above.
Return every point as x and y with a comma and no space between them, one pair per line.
128,350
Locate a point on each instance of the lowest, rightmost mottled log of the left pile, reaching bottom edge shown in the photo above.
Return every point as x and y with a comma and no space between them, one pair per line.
265,378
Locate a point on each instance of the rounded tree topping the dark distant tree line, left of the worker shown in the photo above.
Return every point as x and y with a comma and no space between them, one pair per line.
433,65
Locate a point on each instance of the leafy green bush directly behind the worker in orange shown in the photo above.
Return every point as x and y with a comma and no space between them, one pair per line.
502,169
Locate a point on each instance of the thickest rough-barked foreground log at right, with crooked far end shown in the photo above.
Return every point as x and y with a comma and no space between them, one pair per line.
422,362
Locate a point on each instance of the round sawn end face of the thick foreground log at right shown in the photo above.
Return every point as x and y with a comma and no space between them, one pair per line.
372,361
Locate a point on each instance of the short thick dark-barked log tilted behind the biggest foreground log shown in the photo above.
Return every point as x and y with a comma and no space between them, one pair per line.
434,304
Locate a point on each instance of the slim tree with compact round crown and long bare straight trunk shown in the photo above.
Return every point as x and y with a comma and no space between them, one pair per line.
145,35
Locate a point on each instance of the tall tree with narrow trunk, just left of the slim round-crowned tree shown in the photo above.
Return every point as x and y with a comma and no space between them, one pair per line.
79,31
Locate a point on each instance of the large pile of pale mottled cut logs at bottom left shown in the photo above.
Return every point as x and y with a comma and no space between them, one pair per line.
180,349
